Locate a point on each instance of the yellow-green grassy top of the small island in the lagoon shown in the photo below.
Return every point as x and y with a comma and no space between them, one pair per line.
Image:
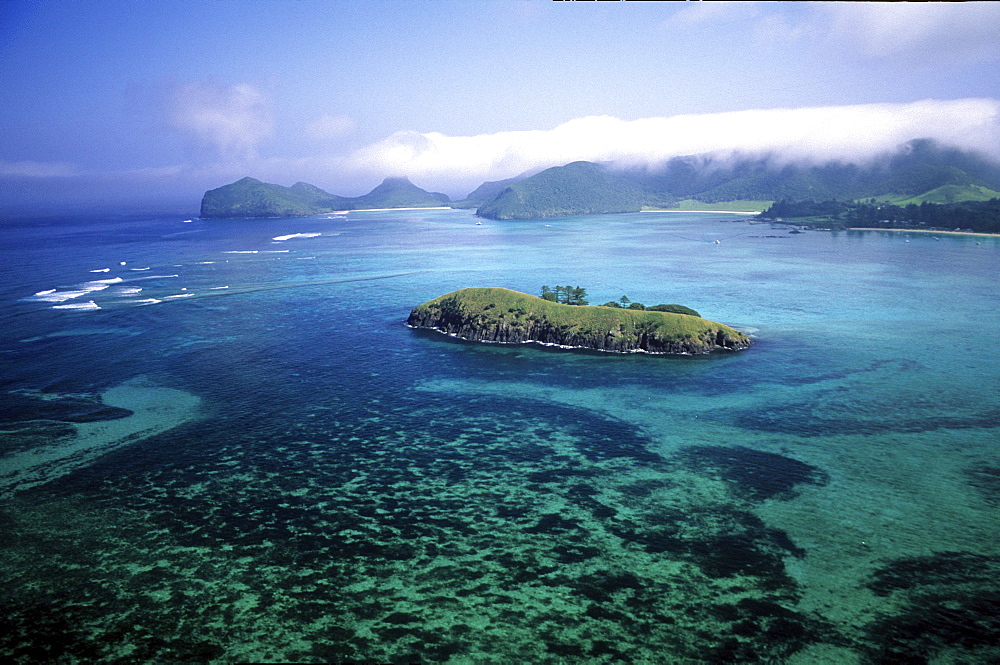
495,305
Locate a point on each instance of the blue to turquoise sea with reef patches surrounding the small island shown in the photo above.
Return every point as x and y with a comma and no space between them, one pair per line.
221,443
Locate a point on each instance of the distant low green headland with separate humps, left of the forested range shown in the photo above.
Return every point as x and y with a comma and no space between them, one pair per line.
251,198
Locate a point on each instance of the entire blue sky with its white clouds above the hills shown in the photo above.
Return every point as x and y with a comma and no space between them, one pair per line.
157,101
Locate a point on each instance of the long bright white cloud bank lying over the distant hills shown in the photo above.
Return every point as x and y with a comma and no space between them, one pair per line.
850,133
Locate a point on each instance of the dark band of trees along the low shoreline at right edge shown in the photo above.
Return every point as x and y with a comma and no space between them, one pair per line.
981,216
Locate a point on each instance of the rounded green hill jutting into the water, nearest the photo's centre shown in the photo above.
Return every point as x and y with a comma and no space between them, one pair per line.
579,188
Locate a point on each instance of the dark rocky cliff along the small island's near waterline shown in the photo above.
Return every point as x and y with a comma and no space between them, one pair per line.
450,318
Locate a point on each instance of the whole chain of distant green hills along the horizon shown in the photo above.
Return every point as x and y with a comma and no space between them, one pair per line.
919,172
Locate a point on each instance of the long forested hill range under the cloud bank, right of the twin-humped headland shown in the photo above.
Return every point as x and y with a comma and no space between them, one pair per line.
920,171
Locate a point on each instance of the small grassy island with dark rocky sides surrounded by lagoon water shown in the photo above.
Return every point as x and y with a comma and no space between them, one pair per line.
492,314
